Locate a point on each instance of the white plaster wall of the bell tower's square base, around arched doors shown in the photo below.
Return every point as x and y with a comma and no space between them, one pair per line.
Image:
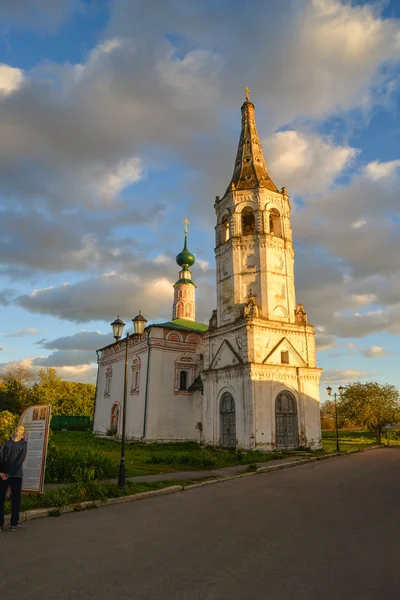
255,386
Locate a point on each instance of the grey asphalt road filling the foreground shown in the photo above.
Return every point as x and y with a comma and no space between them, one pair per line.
327,530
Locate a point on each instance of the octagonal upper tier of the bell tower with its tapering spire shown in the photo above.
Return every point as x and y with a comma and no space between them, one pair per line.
254,252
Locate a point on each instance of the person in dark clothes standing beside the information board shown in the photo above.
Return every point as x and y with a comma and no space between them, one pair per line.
13,454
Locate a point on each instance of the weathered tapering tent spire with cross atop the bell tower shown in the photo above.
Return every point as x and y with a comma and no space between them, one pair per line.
250,170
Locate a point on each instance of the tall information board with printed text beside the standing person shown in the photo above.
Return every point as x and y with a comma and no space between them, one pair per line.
36,420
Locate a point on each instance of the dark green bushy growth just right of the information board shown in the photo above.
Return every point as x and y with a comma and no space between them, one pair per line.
63,465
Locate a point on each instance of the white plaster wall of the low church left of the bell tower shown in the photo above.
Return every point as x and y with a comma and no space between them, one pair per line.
170,416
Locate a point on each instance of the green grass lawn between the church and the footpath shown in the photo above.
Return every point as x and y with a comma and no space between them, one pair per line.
147,459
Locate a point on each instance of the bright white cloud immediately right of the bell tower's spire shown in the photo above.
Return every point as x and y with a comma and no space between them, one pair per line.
307,163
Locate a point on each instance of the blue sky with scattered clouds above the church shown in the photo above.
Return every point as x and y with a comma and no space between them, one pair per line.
118,119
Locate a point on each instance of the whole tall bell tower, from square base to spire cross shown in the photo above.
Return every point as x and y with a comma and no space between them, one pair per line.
260,356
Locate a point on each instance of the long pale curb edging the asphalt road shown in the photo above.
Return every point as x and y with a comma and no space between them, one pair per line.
39,513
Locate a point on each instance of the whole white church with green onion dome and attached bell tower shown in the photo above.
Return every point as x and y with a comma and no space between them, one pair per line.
249,378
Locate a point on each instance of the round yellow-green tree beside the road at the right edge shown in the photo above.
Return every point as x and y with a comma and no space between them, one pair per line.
371,405
